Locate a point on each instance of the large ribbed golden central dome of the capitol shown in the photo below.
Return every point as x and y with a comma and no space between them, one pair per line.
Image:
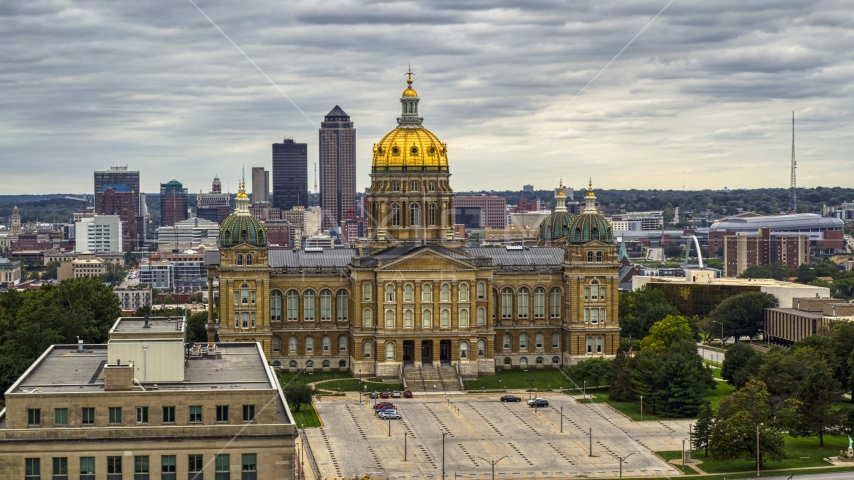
413,148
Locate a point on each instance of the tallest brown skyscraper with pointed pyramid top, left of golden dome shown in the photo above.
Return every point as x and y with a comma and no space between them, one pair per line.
337,167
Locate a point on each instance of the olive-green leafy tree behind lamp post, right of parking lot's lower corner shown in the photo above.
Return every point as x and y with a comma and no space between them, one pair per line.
739,417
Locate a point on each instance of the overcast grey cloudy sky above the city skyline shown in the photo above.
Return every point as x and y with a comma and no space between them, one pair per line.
702,97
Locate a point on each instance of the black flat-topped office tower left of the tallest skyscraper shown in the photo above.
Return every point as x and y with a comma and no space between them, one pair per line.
290,175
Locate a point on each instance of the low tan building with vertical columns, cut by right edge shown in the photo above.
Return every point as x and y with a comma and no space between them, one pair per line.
807,316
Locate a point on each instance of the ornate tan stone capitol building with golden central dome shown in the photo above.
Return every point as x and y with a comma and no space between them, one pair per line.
411,296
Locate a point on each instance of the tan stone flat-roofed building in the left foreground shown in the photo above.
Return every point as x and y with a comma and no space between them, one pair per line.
143,405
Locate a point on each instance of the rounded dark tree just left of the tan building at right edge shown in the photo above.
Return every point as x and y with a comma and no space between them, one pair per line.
743,314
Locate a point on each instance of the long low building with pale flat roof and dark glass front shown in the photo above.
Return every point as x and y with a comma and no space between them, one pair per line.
698,292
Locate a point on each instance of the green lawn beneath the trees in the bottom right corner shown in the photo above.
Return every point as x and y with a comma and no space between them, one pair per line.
802,452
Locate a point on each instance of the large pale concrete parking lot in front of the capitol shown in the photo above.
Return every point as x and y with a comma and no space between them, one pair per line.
479,430
